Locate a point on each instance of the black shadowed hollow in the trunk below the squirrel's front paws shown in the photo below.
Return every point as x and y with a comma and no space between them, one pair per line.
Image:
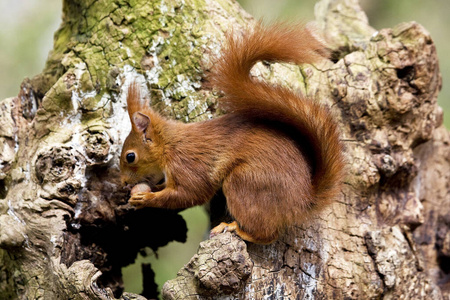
114,244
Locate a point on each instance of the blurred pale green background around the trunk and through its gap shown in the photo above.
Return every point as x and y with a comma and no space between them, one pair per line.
26,34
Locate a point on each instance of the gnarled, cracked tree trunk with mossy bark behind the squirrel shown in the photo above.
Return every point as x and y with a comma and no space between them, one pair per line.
65,231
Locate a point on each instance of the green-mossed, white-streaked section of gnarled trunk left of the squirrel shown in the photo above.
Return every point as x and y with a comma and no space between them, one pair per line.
60,190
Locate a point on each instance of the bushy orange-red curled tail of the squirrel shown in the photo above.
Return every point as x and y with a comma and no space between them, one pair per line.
256,99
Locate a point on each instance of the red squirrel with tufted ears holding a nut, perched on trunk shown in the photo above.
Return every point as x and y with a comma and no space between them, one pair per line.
275,154
